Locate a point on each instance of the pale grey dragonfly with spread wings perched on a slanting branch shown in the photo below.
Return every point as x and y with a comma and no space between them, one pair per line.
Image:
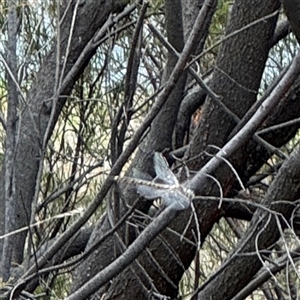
165,186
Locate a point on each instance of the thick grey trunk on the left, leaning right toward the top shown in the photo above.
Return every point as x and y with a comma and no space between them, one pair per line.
44,105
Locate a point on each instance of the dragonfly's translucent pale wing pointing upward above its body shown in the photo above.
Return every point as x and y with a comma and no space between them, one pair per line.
163,171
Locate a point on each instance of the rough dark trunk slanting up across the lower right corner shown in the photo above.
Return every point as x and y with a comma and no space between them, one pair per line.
263,232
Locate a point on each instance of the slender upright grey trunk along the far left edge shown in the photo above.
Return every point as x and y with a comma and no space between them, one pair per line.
11,142
